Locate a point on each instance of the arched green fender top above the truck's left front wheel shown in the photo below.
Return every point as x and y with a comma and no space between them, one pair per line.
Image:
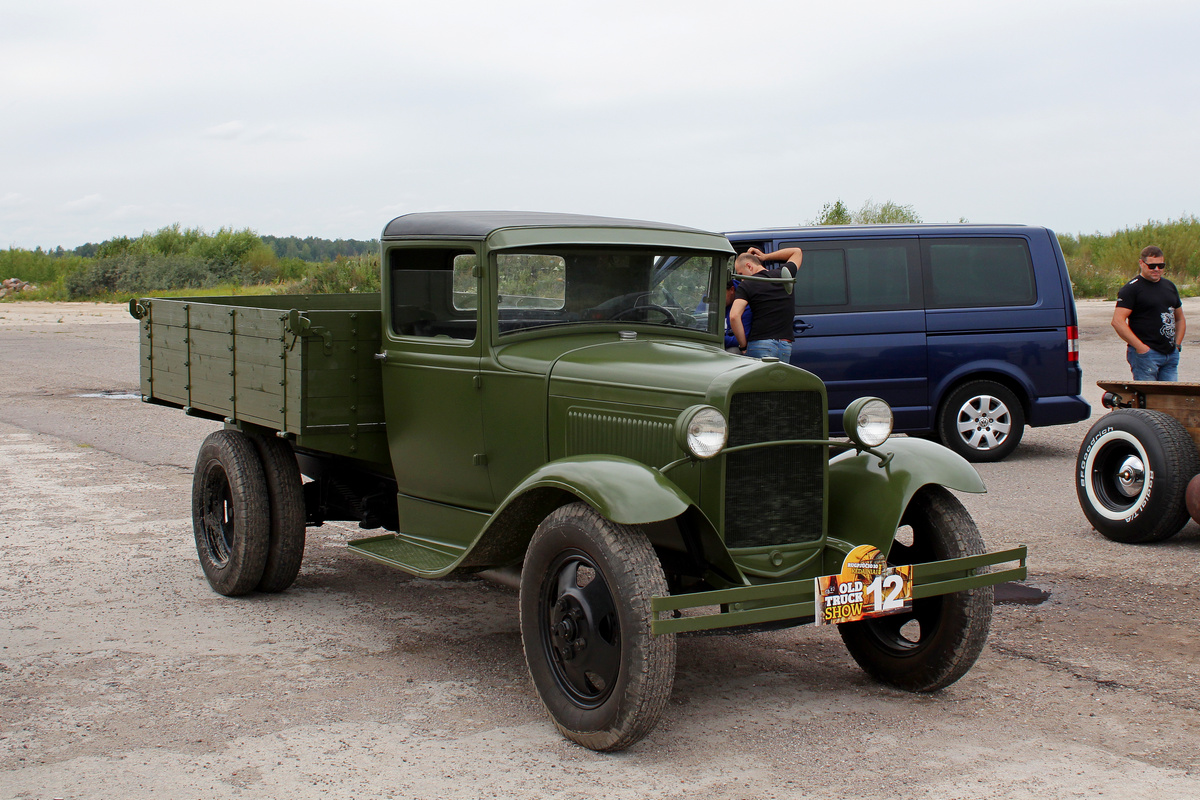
623,490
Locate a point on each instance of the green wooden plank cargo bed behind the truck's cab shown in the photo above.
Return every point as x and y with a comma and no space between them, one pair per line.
303,365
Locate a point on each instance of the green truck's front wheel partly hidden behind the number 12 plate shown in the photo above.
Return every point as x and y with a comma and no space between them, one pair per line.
938,642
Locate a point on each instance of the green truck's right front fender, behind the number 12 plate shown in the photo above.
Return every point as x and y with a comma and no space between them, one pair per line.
867,501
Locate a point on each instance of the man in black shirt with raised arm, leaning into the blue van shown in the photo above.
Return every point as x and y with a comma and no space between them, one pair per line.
771,305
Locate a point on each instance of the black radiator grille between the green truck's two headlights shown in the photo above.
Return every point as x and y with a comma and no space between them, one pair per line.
775,496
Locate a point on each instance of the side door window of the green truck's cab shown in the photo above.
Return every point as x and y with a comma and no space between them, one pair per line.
434,293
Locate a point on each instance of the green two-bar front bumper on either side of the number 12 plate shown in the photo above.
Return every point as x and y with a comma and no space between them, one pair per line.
795,599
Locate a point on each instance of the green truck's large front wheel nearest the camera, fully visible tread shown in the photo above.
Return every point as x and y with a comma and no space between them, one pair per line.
610,691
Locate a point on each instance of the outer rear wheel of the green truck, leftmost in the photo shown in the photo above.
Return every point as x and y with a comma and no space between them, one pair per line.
231,513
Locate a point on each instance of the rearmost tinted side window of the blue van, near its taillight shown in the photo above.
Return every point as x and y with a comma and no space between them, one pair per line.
979,273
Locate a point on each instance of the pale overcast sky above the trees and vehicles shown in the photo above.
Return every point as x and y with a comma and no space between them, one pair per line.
329,119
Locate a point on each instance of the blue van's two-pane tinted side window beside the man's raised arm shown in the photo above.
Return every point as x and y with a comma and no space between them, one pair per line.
856,276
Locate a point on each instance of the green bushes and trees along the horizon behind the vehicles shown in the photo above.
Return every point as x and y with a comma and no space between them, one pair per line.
191,260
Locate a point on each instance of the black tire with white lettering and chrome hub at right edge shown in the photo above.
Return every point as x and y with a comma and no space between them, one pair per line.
1132,476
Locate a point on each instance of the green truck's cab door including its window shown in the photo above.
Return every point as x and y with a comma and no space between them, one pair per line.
431,382
